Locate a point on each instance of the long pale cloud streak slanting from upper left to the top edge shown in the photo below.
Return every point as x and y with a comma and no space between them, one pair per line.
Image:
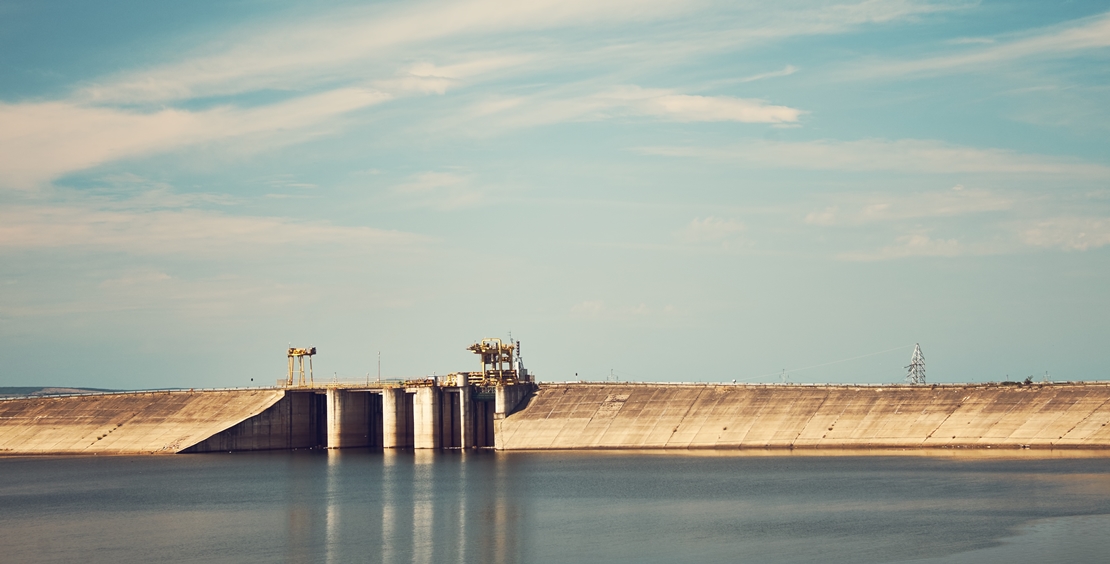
285,57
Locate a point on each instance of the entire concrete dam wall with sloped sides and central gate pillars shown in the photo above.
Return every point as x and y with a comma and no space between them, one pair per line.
447,414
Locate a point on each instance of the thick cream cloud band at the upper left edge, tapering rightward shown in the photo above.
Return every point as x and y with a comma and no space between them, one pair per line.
43,140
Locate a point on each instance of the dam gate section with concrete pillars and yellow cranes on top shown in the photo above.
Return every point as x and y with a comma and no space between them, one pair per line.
455,411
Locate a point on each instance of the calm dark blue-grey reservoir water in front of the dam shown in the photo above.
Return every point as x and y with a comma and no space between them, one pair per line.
564,507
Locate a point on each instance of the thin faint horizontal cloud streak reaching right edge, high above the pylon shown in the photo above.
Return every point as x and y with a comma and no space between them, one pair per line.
879,155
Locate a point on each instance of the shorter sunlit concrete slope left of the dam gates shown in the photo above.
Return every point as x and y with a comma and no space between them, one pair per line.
126,424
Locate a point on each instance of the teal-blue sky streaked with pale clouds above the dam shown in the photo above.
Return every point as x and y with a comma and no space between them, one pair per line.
641,190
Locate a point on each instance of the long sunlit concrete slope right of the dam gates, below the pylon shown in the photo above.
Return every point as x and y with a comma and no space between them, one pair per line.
784,417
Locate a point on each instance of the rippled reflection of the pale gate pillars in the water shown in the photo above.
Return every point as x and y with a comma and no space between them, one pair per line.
425,508
